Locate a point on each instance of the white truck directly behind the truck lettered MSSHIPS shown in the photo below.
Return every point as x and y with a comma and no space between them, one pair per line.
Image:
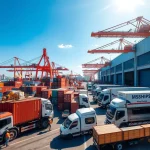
107,95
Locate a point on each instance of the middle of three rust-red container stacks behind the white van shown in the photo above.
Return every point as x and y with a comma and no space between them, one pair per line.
68,96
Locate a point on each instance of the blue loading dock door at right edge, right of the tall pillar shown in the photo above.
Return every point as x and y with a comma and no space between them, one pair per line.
144,77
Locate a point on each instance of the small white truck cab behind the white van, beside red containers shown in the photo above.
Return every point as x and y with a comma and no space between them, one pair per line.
84,101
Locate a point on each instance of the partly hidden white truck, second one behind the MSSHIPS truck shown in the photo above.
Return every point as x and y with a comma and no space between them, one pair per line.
98,90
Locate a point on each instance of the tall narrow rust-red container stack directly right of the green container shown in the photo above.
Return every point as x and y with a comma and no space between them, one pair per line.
61,93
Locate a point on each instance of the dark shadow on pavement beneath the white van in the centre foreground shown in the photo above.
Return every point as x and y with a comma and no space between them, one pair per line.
64,143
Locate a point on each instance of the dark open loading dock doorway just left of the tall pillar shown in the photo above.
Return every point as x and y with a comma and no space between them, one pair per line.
129,78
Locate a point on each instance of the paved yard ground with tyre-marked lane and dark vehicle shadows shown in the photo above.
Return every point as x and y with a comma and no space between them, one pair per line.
45,140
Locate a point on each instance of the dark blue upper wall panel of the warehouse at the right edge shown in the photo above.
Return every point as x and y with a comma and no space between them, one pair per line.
143,59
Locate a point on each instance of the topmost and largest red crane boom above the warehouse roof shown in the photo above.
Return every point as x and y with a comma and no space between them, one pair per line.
141,29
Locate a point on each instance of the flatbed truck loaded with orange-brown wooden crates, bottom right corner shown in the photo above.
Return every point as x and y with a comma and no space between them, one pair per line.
109,137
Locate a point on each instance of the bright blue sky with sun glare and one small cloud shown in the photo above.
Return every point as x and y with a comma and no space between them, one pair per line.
63,27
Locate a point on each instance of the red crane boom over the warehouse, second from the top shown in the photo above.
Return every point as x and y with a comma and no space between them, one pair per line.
123,47
